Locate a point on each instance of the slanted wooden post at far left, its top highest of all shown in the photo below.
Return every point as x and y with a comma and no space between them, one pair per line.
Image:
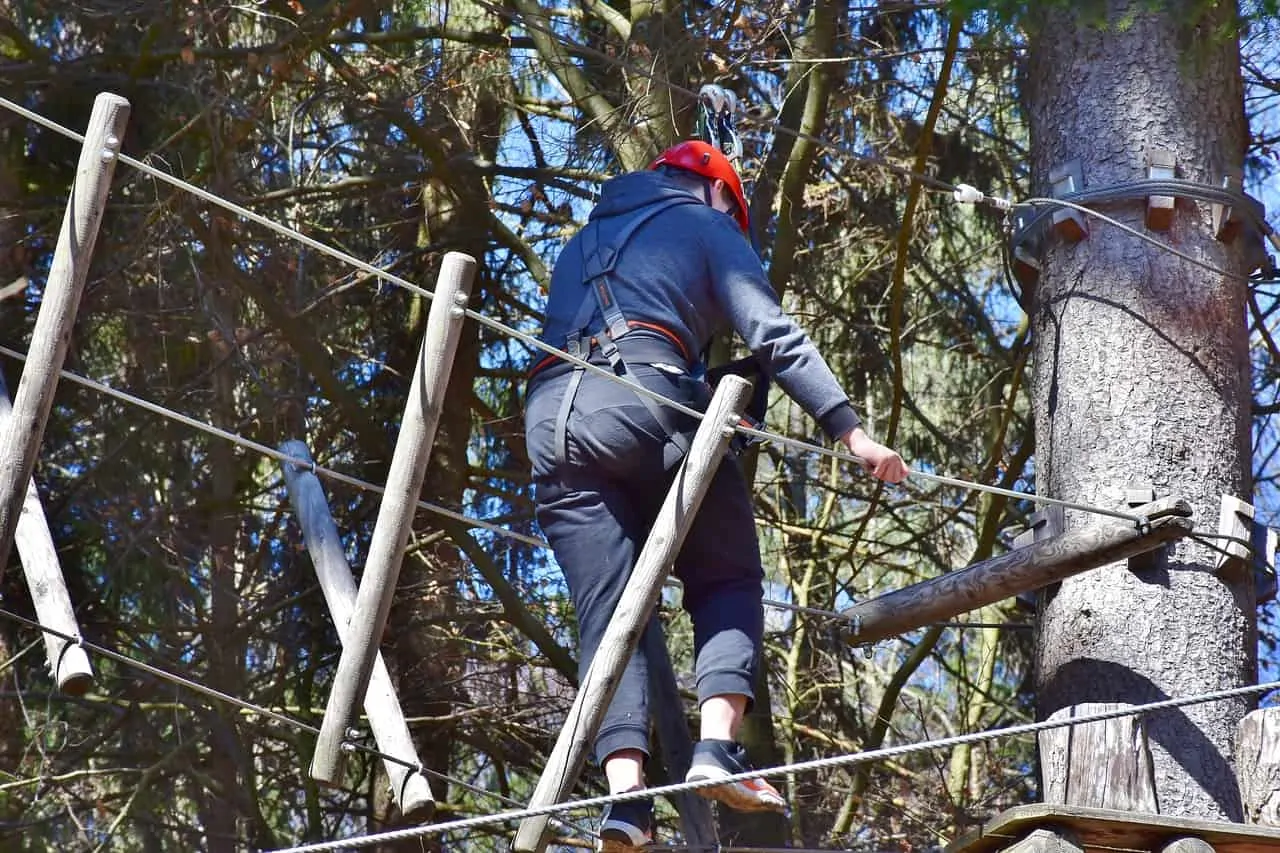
20,444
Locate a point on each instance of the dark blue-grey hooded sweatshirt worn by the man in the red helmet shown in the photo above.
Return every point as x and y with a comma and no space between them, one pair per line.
691,271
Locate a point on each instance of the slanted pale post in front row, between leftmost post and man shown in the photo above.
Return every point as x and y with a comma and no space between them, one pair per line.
396,514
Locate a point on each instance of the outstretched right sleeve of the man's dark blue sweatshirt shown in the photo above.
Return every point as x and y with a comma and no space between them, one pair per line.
788,355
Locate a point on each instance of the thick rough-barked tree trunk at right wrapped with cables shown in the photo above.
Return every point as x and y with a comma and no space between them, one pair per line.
1142,377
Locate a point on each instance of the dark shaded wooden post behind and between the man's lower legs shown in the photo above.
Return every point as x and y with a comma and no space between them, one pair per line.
678,747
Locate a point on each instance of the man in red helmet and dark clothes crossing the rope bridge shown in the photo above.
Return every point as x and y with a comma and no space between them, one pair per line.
659,270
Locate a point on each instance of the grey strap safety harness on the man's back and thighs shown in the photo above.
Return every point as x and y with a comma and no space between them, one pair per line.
598,264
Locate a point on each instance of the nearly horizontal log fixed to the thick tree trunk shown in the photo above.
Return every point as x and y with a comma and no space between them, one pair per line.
1037,565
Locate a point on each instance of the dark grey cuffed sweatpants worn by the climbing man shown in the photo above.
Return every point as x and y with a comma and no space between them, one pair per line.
596,512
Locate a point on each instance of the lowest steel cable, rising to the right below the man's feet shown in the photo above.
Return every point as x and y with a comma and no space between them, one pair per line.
798,768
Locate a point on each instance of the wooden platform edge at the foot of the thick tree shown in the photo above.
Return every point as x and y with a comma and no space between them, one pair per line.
1100,829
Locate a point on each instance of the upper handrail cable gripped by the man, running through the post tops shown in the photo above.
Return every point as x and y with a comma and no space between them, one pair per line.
546,348
